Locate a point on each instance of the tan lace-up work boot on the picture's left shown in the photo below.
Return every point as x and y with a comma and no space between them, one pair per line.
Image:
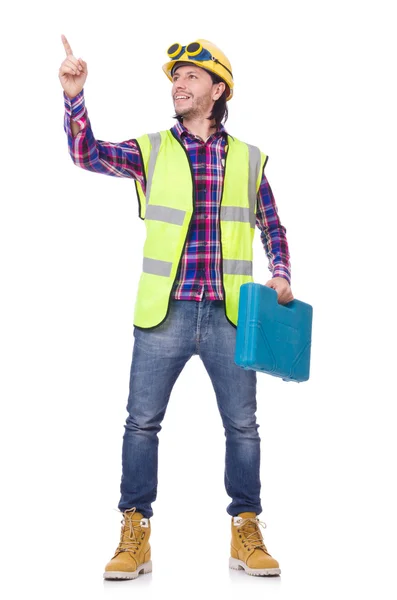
132,555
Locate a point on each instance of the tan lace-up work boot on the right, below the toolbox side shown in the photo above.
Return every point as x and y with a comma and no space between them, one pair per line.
247,548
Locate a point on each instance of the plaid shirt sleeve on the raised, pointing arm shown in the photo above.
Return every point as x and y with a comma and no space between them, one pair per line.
117,159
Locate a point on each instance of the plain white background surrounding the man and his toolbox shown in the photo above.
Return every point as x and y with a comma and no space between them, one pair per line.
315,89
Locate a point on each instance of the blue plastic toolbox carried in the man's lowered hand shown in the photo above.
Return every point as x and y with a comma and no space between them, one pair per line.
271,337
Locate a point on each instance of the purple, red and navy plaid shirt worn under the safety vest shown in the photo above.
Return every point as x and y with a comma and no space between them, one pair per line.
199,271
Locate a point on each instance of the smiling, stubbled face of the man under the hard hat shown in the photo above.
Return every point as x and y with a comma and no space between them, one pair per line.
193,92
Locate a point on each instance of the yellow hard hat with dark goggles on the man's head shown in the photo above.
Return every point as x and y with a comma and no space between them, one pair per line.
204,54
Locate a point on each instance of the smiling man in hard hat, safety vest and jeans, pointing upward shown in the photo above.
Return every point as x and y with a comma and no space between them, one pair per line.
200,192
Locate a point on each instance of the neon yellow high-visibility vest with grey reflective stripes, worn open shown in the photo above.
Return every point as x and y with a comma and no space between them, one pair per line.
167,209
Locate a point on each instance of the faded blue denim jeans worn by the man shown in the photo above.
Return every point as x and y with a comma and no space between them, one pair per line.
158,358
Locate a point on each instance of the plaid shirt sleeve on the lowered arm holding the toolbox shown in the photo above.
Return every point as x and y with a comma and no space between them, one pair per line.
273,233
